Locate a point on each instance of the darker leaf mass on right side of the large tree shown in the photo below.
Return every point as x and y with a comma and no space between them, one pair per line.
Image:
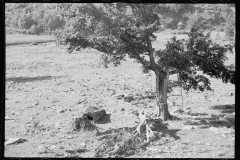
198,53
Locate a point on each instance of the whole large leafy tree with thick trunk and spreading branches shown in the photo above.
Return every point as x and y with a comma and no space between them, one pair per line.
115,30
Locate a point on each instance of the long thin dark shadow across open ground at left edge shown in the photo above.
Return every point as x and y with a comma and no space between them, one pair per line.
32,79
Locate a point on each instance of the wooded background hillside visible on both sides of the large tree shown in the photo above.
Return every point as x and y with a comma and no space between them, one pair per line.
44,18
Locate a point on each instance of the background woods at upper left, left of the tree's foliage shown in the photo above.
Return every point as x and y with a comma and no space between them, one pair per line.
32,18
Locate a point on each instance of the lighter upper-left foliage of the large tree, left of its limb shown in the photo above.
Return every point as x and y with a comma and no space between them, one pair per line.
108,29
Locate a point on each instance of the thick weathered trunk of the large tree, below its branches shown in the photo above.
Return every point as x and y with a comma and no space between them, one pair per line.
161,96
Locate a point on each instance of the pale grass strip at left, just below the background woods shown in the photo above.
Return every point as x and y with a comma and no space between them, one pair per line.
15,39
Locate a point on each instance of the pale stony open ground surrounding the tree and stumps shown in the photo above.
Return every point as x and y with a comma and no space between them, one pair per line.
46,88
